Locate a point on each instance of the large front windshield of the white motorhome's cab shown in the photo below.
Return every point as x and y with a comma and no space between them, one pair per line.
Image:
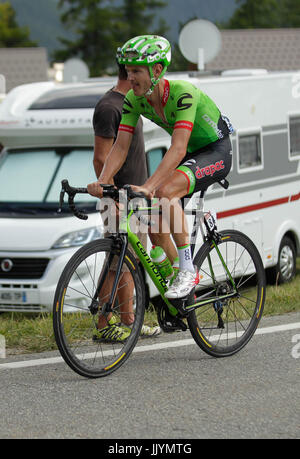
31,178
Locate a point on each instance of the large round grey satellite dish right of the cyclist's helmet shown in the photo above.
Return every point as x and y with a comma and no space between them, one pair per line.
200,41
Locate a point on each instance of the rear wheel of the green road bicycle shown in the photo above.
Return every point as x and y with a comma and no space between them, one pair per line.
240,314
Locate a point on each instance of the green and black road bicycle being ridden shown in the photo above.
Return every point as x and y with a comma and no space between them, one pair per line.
222,313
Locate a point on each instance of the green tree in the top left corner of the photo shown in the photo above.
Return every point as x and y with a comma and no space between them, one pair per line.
11,35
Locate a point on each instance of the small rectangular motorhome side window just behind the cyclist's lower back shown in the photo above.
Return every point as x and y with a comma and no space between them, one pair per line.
249,151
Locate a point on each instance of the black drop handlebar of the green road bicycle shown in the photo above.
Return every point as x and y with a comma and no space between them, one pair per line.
109,191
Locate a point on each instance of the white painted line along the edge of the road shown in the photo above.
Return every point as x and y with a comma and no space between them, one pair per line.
146,348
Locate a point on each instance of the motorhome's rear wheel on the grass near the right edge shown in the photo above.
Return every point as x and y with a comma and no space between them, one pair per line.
285,269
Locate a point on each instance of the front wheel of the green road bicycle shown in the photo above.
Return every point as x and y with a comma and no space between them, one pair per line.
87,351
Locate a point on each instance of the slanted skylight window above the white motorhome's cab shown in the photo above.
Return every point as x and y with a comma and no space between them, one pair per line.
69,98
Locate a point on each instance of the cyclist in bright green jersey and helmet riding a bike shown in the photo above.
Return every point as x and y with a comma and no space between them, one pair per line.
200,151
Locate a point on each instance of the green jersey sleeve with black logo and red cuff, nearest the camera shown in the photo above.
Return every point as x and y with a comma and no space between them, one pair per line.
186,100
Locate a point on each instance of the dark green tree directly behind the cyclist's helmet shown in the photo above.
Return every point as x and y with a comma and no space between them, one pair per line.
100,27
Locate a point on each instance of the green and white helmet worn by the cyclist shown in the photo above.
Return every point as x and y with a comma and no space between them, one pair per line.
146,50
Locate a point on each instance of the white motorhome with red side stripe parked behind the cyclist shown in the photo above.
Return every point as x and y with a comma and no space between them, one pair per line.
46,130
